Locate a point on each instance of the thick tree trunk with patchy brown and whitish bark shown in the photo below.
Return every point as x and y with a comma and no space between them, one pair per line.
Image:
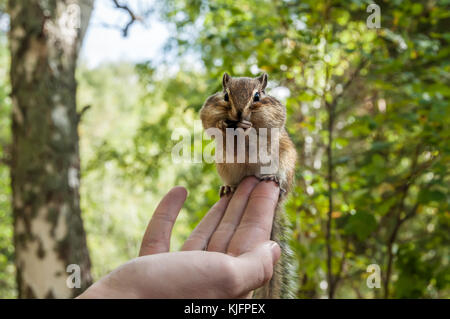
45,38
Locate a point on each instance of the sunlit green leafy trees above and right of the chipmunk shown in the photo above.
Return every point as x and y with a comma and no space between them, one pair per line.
368,112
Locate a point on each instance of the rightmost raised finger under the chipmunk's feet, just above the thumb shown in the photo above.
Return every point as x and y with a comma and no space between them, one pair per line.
256,223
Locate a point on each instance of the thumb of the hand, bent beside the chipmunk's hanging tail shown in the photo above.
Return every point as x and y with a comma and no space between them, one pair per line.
257,265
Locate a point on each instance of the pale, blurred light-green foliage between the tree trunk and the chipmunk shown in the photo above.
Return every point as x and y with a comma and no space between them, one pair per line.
126,156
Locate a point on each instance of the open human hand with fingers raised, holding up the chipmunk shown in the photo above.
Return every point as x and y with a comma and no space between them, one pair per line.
238,259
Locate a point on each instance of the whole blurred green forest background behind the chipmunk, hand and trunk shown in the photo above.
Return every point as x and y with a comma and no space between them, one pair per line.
368,110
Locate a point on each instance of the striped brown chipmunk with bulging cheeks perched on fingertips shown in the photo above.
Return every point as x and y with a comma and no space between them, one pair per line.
243,105
